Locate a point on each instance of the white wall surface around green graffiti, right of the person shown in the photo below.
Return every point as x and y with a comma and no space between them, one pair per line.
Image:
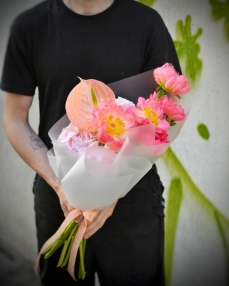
200,258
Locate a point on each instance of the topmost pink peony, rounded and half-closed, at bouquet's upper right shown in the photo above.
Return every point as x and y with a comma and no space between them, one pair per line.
167,77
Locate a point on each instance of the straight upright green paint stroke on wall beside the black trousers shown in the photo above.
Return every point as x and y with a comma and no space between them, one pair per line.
174,200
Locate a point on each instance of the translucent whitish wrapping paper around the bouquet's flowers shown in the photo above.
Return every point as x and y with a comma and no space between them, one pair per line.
99,177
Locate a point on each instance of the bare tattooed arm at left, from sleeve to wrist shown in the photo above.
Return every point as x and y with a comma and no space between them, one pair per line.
27,143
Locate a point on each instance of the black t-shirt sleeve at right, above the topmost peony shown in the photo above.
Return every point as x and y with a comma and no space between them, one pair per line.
160,48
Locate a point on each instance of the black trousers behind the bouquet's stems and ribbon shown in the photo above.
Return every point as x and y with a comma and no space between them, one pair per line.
127,250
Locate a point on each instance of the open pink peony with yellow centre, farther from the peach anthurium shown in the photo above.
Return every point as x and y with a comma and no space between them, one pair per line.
152,110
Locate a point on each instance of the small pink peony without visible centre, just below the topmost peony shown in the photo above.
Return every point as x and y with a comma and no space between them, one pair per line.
173,110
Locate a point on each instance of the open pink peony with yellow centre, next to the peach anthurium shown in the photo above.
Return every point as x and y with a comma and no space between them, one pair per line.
113,123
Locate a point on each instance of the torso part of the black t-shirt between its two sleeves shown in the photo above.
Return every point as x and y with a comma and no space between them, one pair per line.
63,46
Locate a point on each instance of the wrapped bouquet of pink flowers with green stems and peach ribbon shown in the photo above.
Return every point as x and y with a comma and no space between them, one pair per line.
103,146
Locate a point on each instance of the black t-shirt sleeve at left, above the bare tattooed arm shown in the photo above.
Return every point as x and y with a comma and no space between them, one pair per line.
18,74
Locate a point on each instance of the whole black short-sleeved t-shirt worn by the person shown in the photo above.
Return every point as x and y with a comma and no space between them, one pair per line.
50,46
